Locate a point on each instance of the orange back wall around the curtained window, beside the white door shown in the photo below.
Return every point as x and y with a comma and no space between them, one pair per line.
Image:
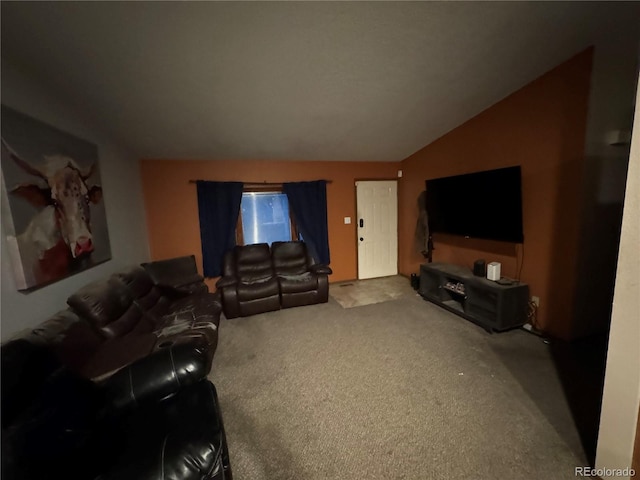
172,207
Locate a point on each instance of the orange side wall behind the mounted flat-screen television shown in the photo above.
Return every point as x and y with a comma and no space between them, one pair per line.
542,128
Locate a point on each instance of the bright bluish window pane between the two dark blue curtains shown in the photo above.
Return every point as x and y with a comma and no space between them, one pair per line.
265,218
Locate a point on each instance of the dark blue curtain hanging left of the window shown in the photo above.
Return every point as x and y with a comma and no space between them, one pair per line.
218,209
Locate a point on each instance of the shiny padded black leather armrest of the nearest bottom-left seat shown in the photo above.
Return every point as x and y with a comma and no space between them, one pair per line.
157,376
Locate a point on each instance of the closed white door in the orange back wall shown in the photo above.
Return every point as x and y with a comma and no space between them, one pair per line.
377,227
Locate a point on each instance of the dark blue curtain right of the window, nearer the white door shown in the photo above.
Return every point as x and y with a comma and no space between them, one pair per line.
308,203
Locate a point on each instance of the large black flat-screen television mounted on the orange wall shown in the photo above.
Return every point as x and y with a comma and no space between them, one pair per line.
478,205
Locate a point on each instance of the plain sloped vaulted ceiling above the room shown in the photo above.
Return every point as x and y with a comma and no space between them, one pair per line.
293,80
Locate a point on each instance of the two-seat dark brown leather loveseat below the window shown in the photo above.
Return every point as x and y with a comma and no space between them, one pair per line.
258,278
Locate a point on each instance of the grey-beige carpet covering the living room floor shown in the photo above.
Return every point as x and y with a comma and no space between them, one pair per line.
400,389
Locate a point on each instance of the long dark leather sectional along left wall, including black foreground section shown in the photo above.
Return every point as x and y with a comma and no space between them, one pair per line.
115,386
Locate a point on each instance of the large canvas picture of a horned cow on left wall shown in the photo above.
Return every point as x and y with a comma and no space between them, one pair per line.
52,207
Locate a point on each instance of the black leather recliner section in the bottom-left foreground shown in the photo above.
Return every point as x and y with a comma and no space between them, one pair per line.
157,418
